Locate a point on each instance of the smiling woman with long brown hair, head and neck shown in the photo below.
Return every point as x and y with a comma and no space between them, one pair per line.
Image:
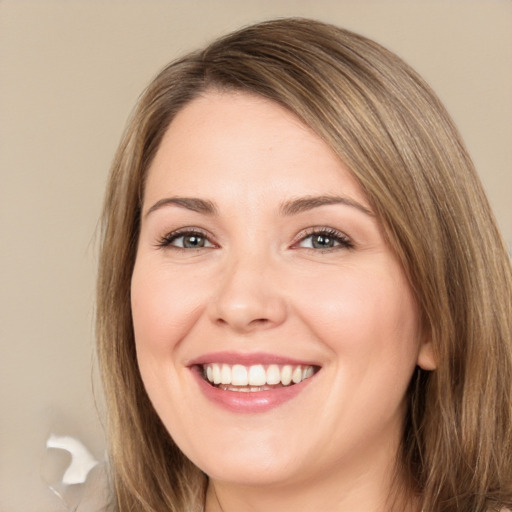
304,301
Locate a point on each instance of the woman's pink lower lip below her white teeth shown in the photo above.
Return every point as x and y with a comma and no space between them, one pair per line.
251,401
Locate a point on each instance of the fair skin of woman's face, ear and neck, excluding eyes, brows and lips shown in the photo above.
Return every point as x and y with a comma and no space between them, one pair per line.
258,286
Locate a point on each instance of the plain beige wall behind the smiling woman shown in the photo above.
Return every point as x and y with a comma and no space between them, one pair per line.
70,72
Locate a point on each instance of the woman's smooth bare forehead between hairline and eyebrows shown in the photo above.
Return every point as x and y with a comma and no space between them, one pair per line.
226,140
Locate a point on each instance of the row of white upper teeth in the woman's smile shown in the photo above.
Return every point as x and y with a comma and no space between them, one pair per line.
256,375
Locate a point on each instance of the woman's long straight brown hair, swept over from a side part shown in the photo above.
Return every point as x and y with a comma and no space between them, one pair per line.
391,131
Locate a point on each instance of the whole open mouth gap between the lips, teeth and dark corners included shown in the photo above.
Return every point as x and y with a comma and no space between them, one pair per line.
255,378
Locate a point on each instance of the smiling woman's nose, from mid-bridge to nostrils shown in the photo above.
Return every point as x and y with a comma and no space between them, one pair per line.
249,297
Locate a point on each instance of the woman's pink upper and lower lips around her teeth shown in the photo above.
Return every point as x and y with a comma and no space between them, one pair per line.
247,402
